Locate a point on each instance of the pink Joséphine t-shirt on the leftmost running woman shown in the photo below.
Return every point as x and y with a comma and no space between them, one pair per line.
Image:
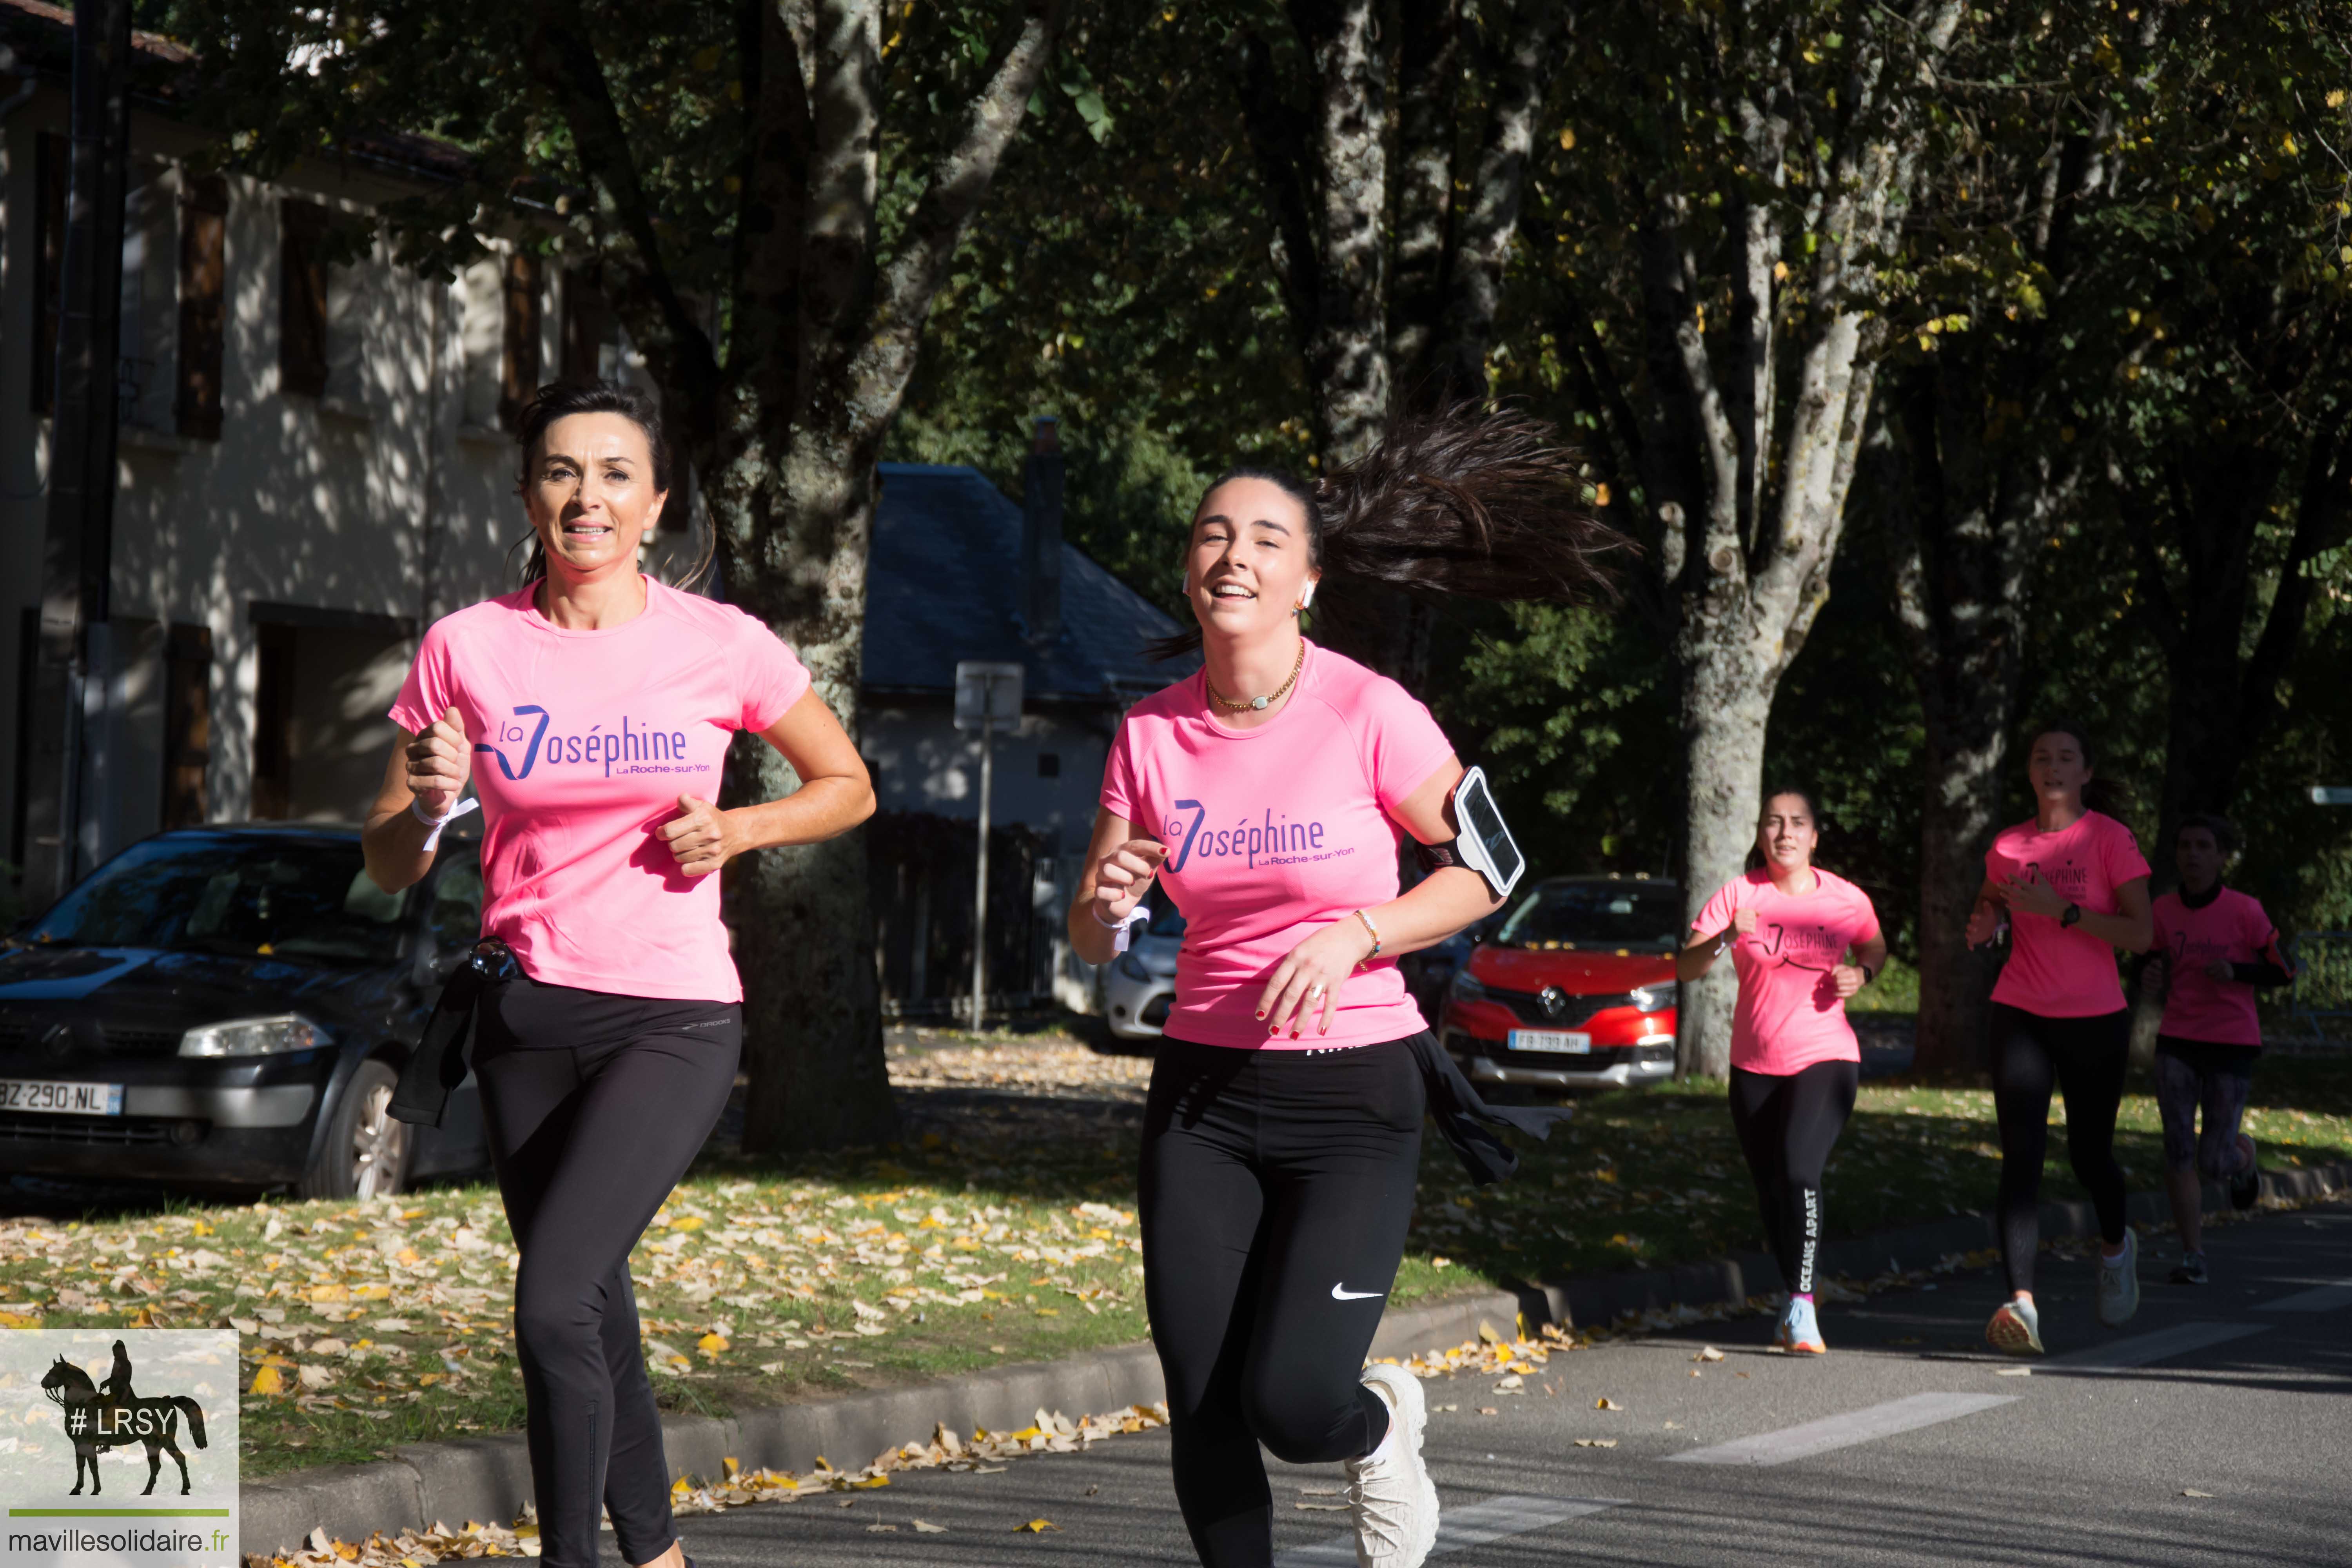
582,746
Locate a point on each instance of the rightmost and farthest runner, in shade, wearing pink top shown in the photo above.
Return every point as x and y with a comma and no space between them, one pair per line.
2214,949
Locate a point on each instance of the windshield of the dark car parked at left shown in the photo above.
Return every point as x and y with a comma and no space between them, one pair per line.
243,897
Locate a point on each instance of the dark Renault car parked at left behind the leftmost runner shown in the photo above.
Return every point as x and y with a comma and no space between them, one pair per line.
229,1007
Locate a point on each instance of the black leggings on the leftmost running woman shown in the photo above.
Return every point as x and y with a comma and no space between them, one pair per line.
596,1106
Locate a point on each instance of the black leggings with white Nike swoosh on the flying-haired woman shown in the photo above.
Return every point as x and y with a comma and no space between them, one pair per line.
1276,1195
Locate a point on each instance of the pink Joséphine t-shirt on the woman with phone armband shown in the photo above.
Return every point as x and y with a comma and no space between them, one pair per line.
1276,833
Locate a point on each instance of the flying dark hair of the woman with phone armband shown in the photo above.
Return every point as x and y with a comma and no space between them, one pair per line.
1464,502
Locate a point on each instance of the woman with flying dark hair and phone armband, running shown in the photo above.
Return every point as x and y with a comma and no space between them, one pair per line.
1271,793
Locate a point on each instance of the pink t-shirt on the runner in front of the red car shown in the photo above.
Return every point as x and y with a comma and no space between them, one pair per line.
1791,1014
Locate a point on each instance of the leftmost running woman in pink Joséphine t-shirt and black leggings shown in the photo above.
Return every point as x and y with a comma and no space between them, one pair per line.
594,709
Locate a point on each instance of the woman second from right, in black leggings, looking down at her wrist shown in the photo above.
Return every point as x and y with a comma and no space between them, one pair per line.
2073,887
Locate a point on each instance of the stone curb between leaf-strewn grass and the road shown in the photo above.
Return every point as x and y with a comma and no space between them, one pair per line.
490,1477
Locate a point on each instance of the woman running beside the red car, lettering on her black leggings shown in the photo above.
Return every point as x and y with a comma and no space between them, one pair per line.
1796,1064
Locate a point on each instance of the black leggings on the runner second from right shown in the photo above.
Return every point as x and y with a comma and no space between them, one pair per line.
2085,1061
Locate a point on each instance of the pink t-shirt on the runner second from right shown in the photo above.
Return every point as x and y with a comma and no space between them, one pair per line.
2064,972
